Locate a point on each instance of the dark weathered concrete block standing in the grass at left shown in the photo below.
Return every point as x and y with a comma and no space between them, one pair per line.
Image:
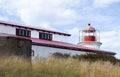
15,46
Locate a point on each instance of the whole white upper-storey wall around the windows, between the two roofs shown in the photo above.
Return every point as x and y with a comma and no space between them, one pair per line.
35,34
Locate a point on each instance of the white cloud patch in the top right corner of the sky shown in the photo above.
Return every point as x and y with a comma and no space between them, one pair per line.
103,3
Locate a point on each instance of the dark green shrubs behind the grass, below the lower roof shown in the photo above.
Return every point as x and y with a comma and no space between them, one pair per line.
89,57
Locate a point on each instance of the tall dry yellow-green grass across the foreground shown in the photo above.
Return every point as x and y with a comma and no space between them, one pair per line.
56,67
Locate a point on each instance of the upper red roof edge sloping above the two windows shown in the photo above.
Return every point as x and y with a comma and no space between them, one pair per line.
33,28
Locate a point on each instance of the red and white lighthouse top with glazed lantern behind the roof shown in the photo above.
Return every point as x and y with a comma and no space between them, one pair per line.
89,37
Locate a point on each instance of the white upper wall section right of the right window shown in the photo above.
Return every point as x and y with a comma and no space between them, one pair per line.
61,38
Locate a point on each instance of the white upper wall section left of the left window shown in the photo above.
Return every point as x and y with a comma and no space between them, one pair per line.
7,29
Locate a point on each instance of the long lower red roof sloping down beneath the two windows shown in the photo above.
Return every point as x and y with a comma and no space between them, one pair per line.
57,44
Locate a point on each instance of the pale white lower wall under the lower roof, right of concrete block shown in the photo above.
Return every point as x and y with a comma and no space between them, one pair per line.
43,51
